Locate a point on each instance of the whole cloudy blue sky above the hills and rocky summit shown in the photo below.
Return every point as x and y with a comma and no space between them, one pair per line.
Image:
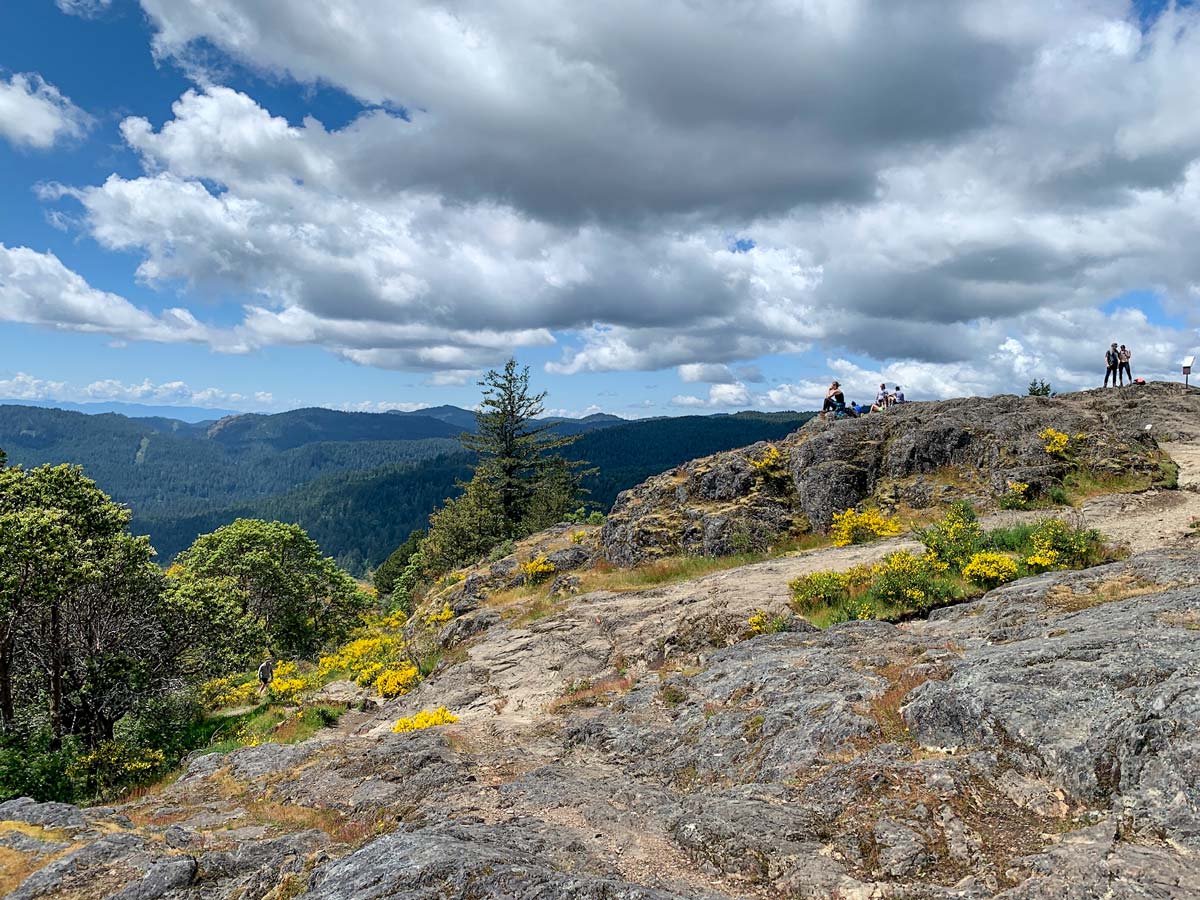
689,206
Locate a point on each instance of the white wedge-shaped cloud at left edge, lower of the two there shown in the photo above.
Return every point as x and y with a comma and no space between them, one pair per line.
38,290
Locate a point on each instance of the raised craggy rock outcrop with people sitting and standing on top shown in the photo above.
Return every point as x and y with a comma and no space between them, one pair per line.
910,458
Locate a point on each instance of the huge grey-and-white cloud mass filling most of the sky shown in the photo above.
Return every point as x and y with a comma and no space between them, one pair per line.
525,175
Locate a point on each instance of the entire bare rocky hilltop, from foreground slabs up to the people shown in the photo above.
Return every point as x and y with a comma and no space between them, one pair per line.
625,735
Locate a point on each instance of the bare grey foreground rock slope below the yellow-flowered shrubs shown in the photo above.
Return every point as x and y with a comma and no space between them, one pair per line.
1042,742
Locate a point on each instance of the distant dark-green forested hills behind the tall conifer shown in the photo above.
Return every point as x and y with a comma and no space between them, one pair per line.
359,483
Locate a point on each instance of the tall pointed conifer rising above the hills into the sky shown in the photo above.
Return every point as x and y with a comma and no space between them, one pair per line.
517,457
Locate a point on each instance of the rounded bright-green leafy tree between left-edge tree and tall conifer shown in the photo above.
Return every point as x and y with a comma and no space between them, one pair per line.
277,575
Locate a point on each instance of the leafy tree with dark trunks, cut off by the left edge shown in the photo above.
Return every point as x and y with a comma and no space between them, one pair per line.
82,640
